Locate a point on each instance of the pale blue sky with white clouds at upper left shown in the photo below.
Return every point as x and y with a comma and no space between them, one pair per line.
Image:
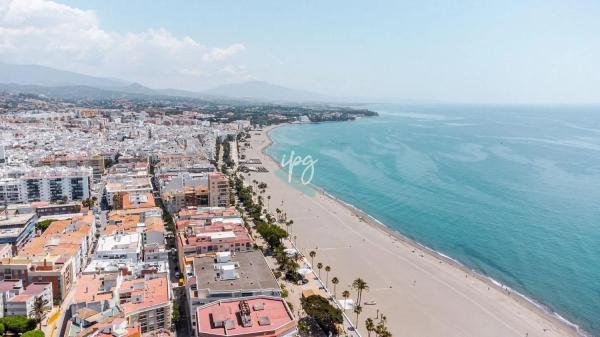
455,51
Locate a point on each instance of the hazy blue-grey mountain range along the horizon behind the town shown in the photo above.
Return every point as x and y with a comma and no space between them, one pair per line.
49,81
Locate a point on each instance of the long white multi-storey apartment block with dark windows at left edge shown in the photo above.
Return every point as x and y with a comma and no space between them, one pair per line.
25,184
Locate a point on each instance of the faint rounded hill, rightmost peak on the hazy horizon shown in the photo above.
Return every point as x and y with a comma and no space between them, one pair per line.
261,90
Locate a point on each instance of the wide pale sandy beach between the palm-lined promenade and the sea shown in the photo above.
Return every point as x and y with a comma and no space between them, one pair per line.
421,293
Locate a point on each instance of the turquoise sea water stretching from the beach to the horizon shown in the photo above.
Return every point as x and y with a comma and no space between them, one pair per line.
512,192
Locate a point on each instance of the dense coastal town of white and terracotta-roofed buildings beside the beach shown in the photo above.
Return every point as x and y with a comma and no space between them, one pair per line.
136,218
